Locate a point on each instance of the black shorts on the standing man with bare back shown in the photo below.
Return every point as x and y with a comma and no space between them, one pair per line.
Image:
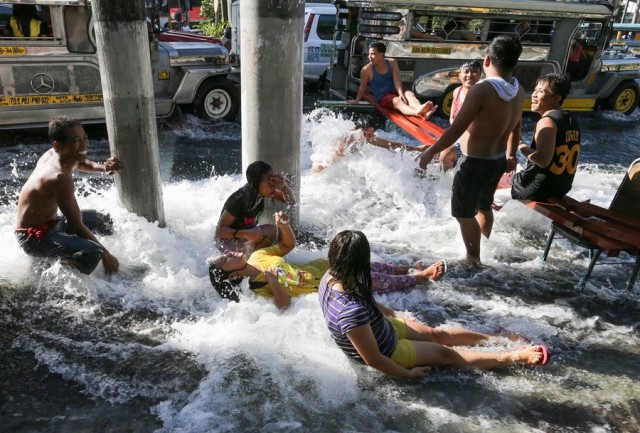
475,183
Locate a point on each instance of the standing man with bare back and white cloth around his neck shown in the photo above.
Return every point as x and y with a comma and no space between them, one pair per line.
488,126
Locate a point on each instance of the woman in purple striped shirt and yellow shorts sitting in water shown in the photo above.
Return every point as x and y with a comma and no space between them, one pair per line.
373,334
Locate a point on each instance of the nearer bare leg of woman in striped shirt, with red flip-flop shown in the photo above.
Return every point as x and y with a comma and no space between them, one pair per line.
433,354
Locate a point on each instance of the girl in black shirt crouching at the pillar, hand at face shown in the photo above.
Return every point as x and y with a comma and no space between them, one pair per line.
238,228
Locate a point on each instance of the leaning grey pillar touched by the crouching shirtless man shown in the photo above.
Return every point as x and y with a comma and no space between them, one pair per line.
125,70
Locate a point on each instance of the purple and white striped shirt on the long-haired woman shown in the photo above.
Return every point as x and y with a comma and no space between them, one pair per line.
343,312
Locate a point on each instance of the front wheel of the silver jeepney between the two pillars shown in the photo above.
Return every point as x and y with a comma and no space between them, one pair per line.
217,100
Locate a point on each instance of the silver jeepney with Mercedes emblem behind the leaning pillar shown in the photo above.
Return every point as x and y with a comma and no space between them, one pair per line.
59,73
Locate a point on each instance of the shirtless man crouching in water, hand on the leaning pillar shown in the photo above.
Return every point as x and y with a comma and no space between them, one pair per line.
39,229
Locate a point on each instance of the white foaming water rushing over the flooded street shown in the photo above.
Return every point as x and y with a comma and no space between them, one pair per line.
154,348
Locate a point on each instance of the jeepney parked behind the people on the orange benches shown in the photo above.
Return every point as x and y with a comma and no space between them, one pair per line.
547,30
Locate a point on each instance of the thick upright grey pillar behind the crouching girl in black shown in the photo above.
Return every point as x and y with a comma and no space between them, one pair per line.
271,87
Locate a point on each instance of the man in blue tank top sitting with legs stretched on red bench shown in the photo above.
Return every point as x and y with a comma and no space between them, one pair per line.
384,77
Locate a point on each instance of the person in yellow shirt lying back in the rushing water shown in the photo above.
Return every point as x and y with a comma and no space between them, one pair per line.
271,275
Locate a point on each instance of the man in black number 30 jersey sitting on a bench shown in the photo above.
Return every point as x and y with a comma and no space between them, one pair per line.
555,147
